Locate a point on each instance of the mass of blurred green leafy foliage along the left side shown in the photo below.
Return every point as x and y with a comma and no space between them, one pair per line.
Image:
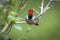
6,13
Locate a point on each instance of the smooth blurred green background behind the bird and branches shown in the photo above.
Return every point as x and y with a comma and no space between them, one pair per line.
49,24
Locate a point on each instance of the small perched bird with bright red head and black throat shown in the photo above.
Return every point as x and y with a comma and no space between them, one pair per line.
30,19
